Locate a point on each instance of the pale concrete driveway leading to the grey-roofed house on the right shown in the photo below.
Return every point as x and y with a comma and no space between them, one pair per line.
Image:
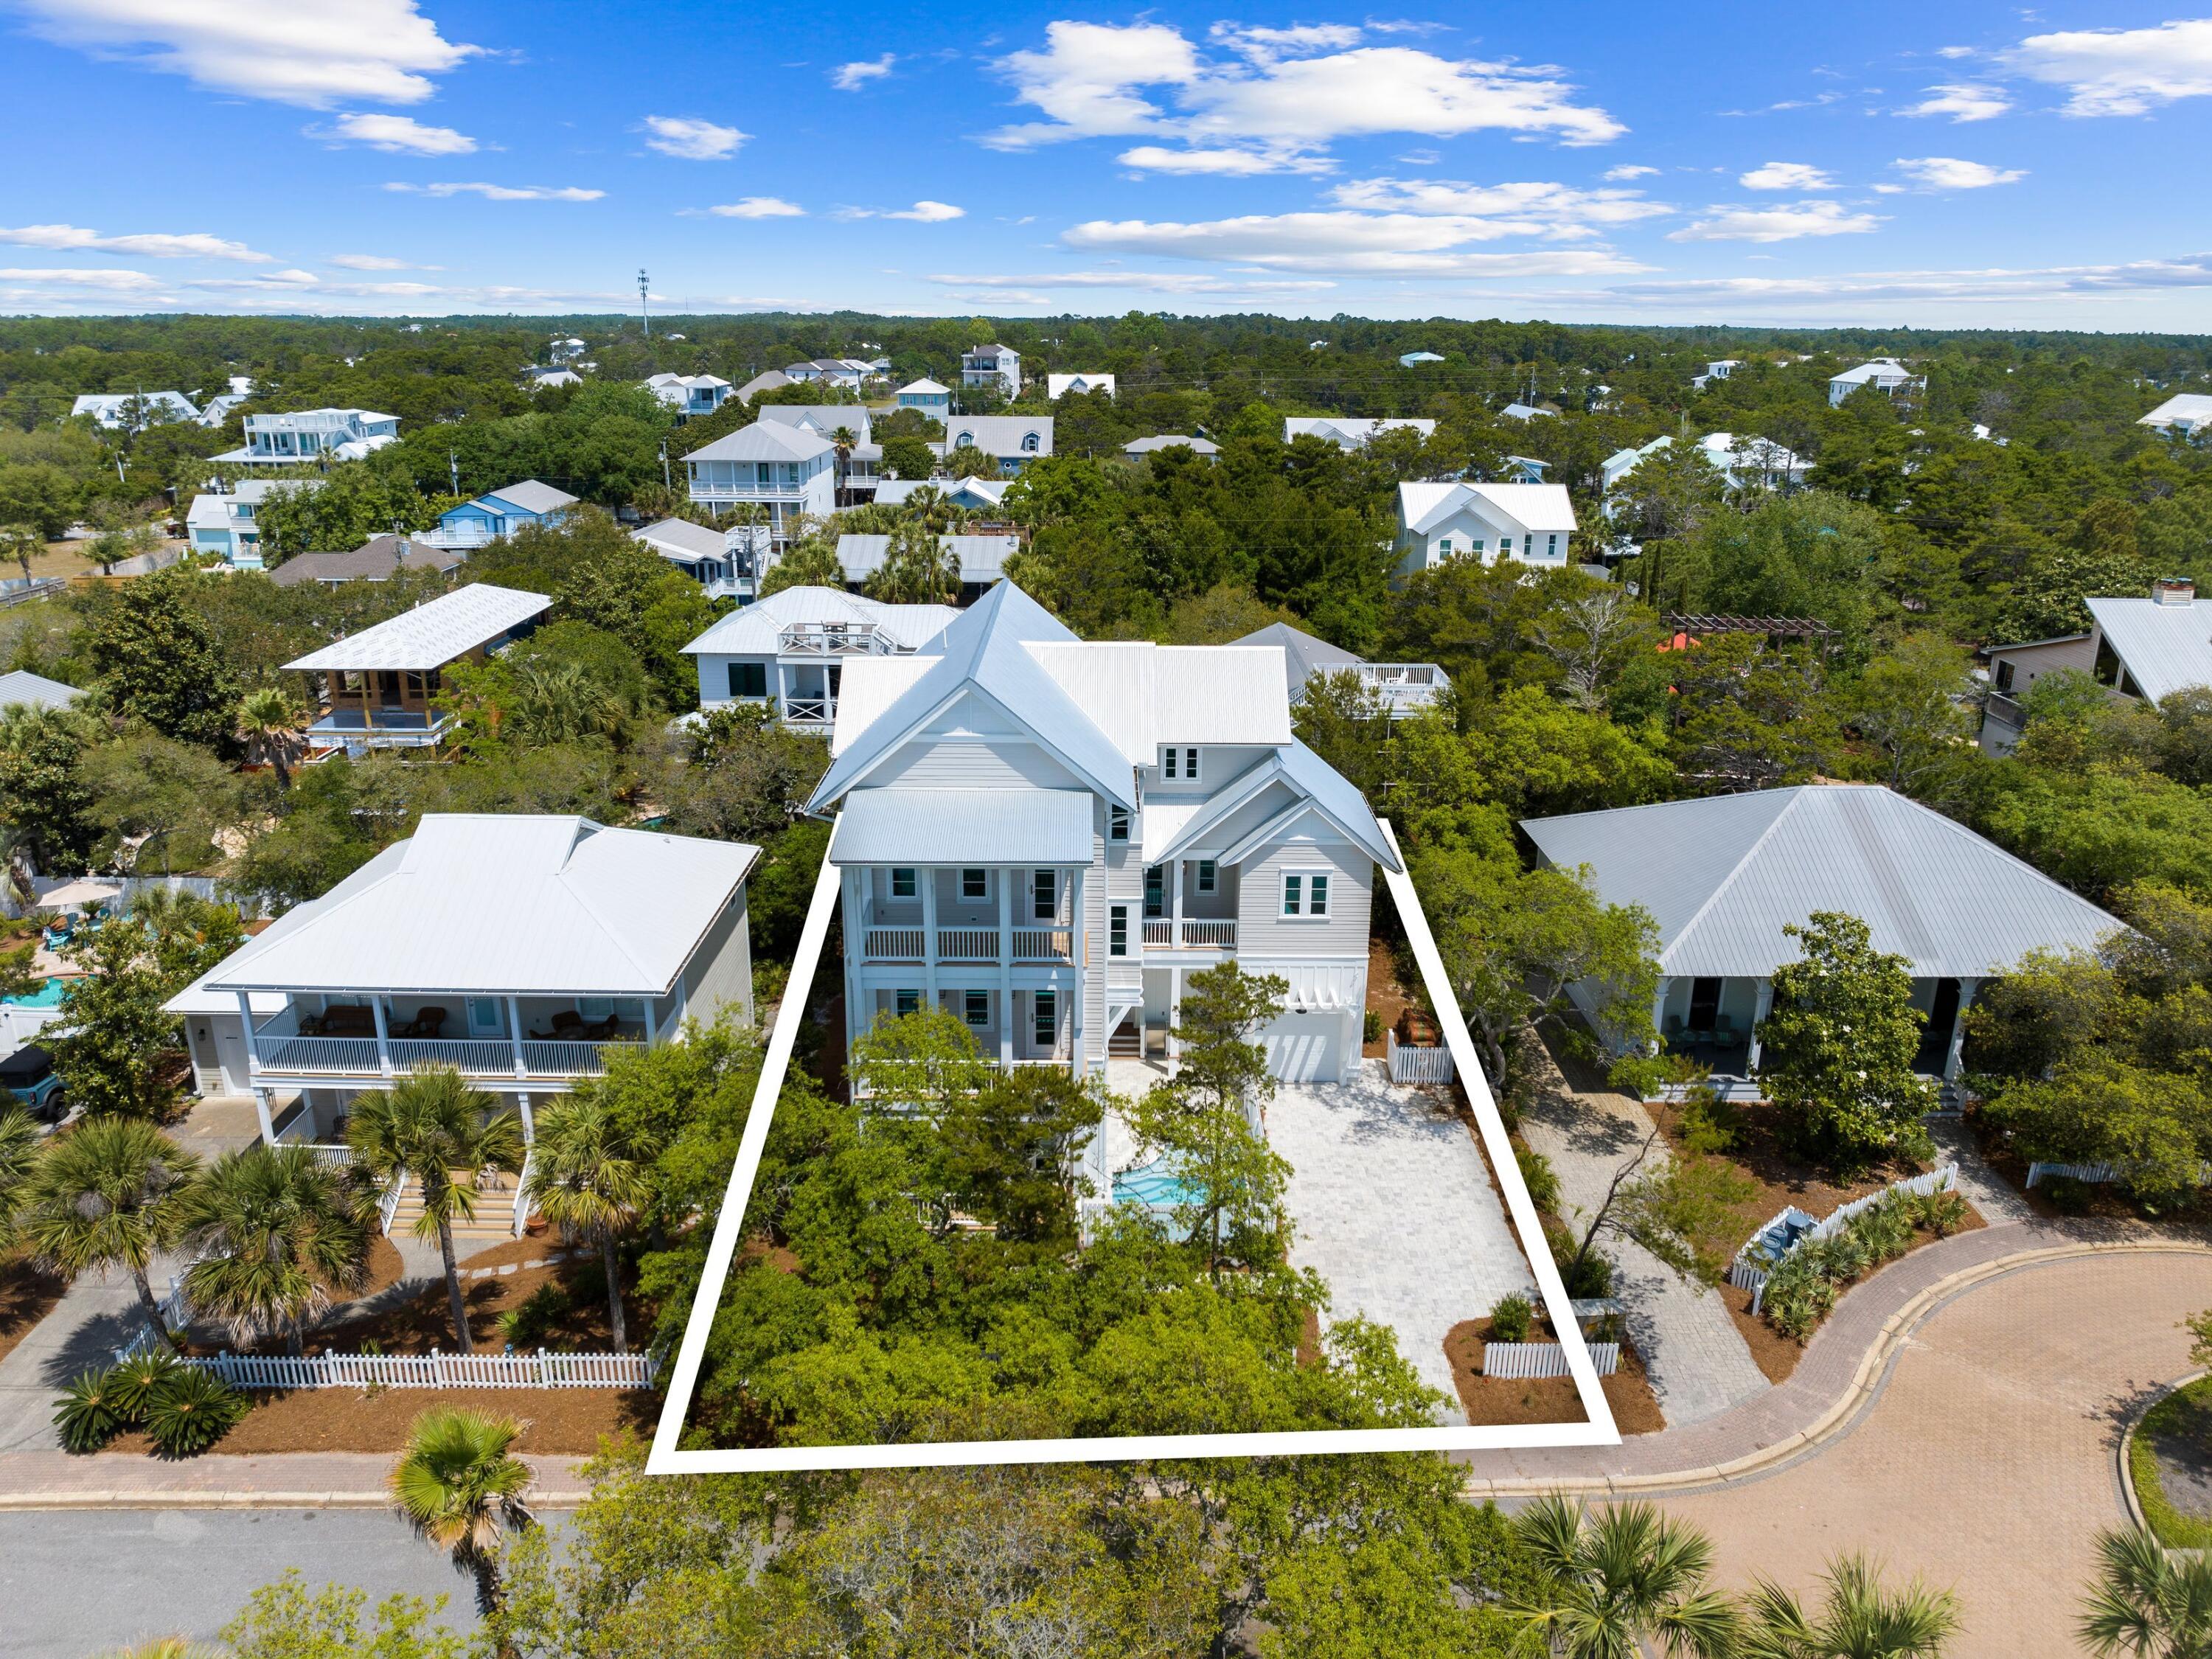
1691,1348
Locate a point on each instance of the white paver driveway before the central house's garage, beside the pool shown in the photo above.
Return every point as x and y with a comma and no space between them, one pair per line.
1395,1209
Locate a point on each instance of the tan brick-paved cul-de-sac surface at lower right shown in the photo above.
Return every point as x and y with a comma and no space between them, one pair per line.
1990,1457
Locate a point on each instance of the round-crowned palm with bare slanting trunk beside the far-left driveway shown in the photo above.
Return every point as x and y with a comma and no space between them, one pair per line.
107,1193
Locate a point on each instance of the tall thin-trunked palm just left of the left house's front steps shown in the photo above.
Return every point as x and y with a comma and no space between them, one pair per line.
432,1125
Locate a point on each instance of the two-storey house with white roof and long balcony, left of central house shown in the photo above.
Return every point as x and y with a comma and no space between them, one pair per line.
519,948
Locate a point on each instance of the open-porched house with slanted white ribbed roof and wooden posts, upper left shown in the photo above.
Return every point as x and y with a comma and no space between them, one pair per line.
375,689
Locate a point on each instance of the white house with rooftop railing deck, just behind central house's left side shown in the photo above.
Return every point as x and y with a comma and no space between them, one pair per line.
793,647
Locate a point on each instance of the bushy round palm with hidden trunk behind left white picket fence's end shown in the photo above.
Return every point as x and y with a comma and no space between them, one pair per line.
275,1235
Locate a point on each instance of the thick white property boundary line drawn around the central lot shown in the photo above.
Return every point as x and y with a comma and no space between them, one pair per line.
667,1459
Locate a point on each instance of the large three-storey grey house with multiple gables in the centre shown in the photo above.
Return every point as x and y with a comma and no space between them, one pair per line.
1047,837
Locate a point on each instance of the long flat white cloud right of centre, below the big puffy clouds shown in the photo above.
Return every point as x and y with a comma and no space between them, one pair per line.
1370,244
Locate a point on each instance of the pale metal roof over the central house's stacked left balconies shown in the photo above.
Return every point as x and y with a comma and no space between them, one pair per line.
963,828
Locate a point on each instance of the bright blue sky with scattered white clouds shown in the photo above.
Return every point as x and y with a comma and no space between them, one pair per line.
1872,163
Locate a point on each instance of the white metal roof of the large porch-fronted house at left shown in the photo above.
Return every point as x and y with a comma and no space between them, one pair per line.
503,904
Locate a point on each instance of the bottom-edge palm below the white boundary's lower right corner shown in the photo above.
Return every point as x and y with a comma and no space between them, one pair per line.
1625,1578
